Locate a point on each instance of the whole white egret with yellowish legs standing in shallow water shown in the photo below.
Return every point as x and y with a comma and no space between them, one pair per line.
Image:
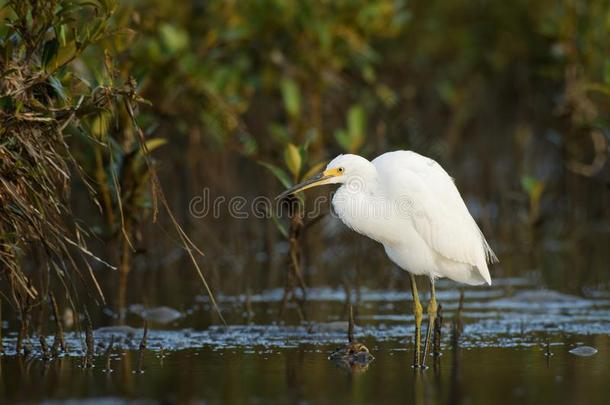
409,204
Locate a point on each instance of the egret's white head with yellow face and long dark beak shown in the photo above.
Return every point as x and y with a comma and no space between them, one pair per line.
340,170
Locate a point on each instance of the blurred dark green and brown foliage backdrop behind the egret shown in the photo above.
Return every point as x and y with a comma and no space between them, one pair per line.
513,98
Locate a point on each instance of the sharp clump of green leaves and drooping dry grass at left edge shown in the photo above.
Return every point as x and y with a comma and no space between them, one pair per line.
43,99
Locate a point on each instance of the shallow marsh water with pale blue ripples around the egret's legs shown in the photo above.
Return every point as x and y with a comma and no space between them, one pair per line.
502,356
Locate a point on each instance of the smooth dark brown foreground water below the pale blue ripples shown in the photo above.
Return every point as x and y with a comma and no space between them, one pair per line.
303,374
